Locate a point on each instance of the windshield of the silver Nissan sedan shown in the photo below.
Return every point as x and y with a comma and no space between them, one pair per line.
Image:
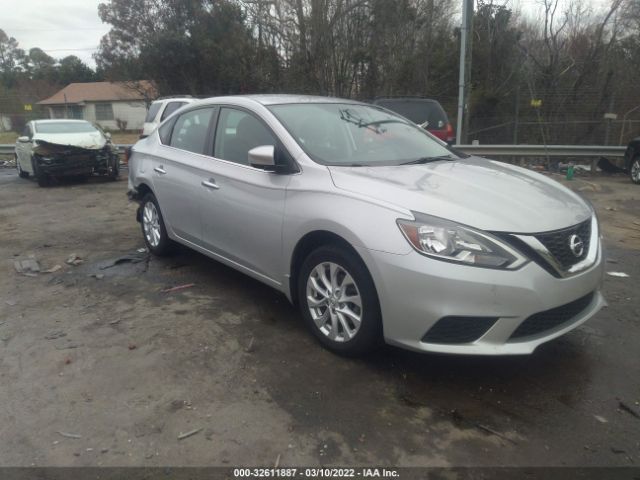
355,135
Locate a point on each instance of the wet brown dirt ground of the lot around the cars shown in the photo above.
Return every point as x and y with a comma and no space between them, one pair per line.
99,367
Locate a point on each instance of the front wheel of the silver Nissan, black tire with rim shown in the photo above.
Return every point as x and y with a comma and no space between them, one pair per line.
328,320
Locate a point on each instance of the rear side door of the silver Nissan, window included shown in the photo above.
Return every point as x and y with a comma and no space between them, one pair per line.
178,170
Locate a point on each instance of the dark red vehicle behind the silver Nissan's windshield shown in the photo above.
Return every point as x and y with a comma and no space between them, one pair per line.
424,112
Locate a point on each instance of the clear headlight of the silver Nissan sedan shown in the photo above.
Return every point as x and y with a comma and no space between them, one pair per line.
445,240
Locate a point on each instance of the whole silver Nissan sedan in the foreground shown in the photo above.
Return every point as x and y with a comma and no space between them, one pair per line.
375,229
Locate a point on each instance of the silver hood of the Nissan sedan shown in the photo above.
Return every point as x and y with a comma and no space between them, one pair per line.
474,191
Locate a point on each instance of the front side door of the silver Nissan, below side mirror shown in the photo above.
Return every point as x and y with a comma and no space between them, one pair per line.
242,215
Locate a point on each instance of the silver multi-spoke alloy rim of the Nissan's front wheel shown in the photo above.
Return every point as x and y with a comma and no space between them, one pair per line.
334,302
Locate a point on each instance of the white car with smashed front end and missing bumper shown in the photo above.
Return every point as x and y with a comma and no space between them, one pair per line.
55,148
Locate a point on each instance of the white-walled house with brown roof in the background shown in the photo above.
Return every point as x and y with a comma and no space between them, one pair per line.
112,105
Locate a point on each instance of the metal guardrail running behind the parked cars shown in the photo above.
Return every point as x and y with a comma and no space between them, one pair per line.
495,150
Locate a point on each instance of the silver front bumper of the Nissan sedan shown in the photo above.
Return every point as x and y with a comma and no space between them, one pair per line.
415,292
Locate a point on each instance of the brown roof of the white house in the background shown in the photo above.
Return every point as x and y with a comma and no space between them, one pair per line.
100,92
